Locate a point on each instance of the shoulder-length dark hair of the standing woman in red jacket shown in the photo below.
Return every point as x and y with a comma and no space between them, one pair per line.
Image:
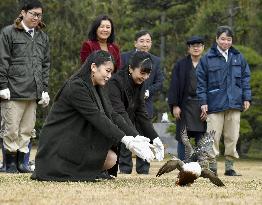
96,23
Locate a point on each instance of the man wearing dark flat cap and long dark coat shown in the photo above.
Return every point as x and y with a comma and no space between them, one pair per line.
182,97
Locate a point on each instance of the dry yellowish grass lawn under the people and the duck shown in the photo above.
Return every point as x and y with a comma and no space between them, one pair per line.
138,189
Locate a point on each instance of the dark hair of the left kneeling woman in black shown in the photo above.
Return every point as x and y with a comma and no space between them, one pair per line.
98,58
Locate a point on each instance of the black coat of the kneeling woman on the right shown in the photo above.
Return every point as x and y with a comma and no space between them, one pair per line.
127,99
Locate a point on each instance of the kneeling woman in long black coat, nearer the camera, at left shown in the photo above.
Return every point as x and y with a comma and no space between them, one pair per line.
75,141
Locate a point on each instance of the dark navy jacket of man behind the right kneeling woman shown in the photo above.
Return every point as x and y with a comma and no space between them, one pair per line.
155,81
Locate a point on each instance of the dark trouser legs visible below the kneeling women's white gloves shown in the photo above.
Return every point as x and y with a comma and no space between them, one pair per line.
126,164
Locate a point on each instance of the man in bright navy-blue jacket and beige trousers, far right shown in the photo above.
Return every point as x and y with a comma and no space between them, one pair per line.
224,91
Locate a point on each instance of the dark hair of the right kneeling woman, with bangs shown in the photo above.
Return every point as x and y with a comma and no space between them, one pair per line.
142,60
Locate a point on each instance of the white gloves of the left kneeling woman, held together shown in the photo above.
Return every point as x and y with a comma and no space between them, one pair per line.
140,148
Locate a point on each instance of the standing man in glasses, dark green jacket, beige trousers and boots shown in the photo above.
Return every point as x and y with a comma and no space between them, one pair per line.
24,71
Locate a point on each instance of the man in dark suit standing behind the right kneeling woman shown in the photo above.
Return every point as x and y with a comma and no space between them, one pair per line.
143,42
